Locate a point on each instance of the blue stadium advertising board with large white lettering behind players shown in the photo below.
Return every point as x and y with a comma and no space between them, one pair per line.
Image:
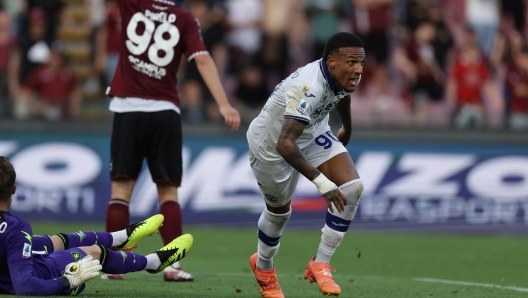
65,177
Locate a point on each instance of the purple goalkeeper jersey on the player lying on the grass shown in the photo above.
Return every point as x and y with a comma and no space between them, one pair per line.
21,272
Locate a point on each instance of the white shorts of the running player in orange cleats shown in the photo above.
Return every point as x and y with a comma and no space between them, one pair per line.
277,181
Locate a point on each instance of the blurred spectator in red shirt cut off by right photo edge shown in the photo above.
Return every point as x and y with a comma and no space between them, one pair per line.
517,83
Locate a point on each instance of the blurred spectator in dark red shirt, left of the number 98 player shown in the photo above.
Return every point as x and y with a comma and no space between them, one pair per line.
51,90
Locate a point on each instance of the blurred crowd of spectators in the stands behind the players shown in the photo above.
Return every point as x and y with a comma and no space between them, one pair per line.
460,64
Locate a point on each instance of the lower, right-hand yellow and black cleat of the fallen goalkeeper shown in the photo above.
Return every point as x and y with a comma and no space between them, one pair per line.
173,252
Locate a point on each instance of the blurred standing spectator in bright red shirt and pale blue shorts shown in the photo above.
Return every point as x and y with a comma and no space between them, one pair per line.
469,74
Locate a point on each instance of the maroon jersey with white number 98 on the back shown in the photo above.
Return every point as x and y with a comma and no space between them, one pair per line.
154,35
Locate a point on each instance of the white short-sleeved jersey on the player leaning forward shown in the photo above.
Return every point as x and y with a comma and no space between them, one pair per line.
307,95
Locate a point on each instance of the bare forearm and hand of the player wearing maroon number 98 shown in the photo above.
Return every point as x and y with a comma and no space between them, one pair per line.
209,73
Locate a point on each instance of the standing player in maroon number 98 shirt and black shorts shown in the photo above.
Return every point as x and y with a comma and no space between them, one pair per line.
147,122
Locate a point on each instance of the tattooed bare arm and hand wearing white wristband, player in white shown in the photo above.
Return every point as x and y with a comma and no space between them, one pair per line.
288,149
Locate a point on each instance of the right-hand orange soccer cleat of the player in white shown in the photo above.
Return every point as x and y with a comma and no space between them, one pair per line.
322,274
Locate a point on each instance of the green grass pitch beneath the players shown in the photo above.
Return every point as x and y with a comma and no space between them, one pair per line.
369,264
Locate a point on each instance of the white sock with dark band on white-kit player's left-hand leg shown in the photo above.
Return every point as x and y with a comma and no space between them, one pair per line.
270,227
